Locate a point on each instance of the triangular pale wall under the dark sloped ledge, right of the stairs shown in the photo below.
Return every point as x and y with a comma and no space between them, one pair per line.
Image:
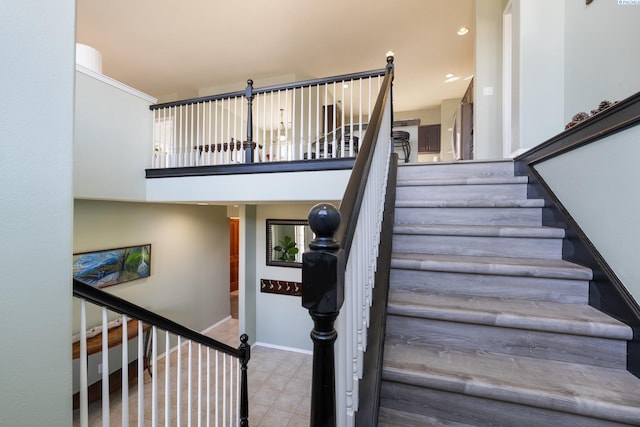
598,184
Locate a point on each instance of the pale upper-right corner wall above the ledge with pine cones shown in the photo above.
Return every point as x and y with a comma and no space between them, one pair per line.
601,54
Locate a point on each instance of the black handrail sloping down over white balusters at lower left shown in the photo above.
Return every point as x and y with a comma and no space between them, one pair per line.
118,305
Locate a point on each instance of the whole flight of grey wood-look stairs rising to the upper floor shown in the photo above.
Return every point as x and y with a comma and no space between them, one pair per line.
487,325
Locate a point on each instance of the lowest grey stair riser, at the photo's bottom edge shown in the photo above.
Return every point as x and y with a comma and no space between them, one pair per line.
456,406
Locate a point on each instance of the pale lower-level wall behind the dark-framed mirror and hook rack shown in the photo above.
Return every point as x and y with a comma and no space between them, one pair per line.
280,319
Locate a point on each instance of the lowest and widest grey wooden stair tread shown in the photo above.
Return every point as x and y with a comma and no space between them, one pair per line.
611,394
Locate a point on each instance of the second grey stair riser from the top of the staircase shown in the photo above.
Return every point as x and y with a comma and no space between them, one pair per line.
453,192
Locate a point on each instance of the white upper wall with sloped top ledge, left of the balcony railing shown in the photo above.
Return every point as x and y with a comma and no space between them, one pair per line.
113,134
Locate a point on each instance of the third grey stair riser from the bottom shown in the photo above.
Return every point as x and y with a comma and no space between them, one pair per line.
513,287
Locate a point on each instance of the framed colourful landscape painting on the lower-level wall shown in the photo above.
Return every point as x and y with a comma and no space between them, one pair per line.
112,266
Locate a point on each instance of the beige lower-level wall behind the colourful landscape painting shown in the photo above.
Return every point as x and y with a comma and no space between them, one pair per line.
189,280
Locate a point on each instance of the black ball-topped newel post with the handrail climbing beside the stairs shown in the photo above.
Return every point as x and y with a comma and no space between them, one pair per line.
323,266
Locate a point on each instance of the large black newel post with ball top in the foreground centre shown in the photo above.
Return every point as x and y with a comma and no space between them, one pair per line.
323,295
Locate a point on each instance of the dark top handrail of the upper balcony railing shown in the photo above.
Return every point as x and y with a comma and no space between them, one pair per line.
274,88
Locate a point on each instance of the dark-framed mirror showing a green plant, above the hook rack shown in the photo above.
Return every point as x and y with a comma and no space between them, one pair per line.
287,239
